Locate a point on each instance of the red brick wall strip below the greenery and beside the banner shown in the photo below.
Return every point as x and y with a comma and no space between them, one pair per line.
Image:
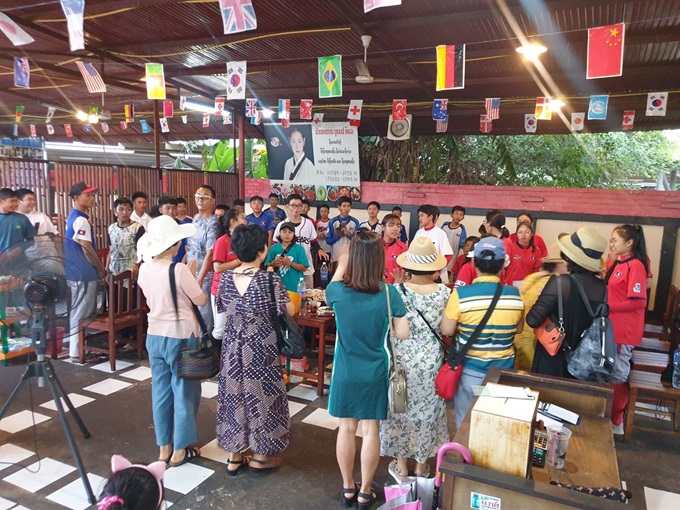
648,203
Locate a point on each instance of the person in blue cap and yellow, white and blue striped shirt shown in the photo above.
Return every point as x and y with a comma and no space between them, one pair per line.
466,309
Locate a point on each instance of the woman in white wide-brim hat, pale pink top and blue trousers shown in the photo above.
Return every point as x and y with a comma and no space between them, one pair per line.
174,400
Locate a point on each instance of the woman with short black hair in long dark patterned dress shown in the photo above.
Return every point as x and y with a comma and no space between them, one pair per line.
252,410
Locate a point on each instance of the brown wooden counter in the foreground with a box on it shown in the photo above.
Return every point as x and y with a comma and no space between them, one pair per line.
590,460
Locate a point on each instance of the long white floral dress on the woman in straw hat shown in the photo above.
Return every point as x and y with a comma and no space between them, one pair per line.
419,433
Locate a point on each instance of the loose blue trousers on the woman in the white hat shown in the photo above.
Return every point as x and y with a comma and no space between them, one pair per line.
174,400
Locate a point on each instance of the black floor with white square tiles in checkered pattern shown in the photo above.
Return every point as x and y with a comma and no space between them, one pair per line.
116,409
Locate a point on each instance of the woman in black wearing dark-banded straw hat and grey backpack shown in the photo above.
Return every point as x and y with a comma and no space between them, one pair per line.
583,251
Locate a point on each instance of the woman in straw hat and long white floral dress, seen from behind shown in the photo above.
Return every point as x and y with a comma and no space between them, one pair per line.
418,433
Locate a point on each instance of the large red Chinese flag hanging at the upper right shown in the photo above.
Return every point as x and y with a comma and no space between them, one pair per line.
605,51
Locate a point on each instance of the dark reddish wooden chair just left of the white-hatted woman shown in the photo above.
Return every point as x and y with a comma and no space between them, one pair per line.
123,311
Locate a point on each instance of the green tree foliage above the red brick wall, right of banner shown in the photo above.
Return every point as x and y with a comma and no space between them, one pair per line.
607,160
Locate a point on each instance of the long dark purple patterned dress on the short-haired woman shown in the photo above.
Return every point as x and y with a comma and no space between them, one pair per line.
252,405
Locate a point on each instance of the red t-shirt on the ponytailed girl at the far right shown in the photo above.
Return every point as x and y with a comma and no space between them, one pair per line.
628,281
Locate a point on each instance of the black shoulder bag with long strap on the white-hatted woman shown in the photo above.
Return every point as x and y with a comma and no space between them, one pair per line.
203,362
